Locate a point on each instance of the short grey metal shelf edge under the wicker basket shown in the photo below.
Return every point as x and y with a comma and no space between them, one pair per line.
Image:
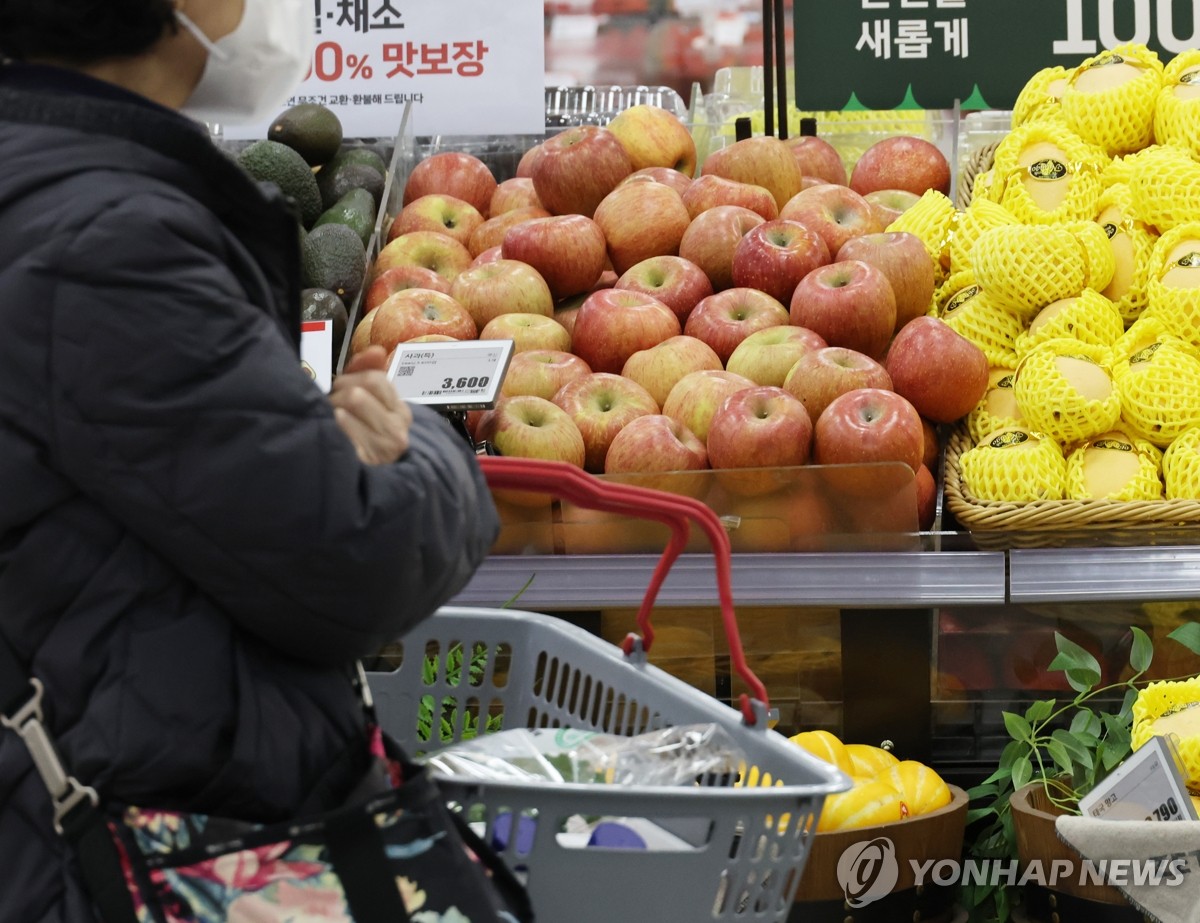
1103,574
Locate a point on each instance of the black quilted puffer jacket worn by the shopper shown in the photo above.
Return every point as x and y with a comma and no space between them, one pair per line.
191,554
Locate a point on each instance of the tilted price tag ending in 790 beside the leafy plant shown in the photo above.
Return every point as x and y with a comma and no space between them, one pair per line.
1148,787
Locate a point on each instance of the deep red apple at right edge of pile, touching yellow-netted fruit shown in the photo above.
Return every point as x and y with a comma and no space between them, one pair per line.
943,374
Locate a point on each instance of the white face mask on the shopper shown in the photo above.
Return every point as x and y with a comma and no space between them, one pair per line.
253,71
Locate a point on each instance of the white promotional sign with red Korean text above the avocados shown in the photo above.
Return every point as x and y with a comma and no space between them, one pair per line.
469,68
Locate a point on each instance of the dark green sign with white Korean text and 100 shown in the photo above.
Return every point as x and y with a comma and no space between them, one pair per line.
885,55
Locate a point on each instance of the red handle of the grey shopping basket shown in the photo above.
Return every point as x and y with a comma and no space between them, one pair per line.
569,483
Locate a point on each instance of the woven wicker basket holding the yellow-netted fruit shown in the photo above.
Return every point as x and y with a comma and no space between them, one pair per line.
1064,524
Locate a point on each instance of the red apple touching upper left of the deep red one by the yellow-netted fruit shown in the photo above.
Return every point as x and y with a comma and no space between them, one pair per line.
848,303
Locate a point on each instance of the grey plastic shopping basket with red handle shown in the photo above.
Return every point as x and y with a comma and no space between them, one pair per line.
739,846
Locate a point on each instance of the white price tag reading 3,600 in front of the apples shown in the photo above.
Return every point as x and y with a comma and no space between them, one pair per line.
463,376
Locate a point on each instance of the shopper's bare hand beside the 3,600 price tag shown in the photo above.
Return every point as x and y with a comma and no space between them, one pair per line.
369,410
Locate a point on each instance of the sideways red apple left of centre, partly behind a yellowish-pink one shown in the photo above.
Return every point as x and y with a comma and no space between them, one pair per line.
568,250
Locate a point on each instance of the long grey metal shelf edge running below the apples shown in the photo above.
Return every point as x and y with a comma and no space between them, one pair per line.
853,580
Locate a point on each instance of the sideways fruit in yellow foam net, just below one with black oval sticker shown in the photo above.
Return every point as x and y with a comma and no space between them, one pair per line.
1028,267
